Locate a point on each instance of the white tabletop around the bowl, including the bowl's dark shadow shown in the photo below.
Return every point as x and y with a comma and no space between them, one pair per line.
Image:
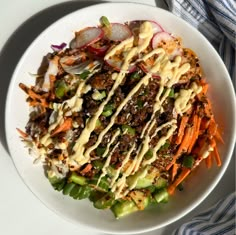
21,213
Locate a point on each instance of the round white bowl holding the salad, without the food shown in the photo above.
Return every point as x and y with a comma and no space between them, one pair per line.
82,213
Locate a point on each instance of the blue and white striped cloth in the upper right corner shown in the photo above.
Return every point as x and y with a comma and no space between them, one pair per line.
216,20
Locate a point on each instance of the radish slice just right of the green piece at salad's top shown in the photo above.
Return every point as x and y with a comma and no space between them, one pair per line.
118,32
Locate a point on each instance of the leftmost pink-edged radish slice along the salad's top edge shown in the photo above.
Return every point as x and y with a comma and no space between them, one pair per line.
88,36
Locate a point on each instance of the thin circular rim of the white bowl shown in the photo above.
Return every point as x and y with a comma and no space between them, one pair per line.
187,209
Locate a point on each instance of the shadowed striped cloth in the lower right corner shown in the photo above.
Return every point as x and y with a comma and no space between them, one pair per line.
217,220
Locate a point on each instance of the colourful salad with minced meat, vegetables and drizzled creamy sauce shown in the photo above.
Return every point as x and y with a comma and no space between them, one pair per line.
121,116
